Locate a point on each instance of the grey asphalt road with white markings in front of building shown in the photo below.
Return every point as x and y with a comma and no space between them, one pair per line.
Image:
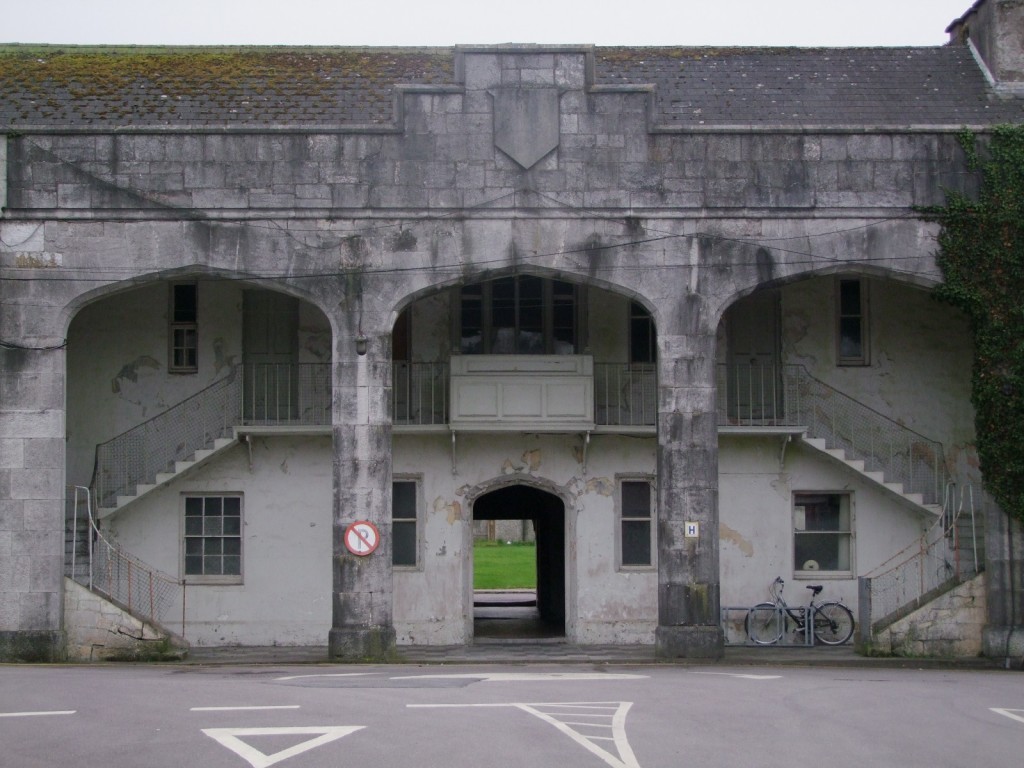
567,716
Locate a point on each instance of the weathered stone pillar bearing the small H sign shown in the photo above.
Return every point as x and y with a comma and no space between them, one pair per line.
689,600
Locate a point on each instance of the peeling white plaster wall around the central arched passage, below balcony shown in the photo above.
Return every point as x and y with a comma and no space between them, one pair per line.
434,605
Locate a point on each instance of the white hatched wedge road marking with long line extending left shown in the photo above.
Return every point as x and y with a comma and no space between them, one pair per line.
608,717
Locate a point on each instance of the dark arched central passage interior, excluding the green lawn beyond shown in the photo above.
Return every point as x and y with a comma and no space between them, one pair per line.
517,618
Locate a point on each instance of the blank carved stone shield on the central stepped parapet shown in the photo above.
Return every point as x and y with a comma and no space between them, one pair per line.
527,123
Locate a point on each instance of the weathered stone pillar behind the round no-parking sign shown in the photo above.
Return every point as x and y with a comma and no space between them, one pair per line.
362,627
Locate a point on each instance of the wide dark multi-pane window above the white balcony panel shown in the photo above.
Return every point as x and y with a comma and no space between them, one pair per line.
522,315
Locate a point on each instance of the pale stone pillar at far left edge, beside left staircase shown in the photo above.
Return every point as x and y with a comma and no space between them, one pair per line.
32,478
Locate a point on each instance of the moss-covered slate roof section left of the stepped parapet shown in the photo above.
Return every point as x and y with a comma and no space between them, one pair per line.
137,87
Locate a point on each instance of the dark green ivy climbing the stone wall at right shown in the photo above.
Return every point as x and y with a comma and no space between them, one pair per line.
982,254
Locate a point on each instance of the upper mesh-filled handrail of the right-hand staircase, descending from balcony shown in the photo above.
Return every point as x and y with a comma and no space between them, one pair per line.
904,455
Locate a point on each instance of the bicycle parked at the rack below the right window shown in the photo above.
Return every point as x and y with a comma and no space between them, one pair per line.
766,623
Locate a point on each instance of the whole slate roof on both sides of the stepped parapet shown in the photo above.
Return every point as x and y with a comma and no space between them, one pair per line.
111,89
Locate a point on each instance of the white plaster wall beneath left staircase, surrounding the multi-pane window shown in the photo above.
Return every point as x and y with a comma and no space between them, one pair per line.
287,549
